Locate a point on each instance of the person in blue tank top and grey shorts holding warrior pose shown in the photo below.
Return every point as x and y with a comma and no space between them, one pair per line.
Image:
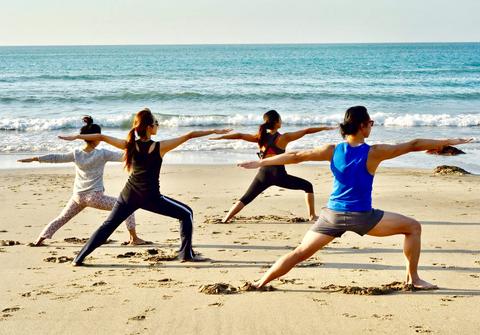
353,164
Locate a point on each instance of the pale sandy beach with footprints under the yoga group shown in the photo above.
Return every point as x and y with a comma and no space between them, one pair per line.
137,293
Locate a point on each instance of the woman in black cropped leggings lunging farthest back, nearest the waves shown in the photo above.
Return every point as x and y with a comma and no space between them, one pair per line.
273,143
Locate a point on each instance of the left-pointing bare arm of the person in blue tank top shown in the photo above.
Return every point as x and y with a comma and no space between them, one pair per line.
323,153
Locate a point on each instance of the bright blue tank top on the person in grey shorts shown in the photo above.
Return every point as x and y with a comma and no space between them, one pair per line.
352,185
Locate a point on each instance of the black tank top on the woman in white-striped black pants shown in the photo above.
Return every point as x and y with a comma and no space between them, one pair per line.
145,168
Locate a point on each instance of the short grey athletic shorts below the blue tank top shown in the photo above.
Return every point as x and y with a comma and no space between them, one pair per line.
335,223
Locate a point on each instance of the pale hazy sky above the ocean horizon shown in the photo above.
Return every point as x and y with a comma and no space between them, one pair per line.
58,22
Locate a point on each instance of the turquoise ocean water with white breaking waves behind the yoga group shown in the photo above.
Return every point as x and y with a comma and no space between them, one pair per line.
411,91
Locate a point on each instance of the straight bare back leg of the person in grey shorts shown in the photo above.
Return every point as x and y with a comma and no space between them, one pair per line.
311,243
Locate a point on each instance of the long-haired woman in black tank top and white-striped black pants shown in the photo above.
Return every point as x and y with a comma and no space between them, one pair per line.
143,159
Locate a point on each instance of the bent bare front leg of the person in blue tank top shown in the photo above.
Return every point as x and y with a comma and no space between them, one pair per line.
393,224
